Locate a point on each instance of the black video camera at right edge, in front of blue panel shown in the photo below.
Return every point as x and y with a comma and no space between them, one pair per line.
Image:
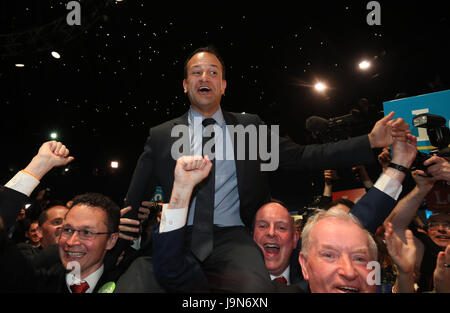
439,135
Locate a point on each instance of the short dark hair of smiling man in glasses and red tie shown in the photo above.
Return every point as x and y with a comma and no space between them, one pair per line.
103,202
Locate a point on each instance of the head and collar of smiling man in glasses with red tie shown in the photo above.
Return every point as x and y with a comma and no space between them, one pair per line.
90,229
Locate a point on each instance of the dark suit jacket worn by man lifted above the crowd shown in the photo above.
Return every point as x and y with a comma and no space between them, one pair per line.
156,165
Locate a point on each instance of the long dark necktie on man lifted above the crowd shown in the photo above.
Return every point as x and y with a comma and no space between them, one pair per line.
202,231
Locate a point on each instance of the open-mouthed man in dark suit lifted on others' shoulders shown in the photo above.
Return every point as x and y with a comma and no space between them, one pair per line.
240,187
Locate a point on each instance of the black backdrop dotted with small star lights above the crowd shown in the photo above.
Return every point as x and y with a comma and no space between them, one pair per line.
122,74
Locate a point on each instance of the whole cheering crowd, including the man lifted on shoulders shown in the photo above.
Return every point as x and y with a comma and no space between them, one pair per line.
221,231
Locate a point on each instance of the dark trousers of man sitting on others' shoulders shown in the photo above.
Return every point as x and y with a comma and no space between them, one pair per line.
236,263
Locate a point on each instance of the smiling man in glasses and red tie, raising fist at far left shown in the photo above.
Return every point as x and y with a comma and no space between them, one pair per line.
90,229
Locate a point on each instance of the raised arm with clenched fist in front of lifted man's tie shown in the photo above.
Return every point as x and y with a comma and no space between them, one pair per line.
175,269
